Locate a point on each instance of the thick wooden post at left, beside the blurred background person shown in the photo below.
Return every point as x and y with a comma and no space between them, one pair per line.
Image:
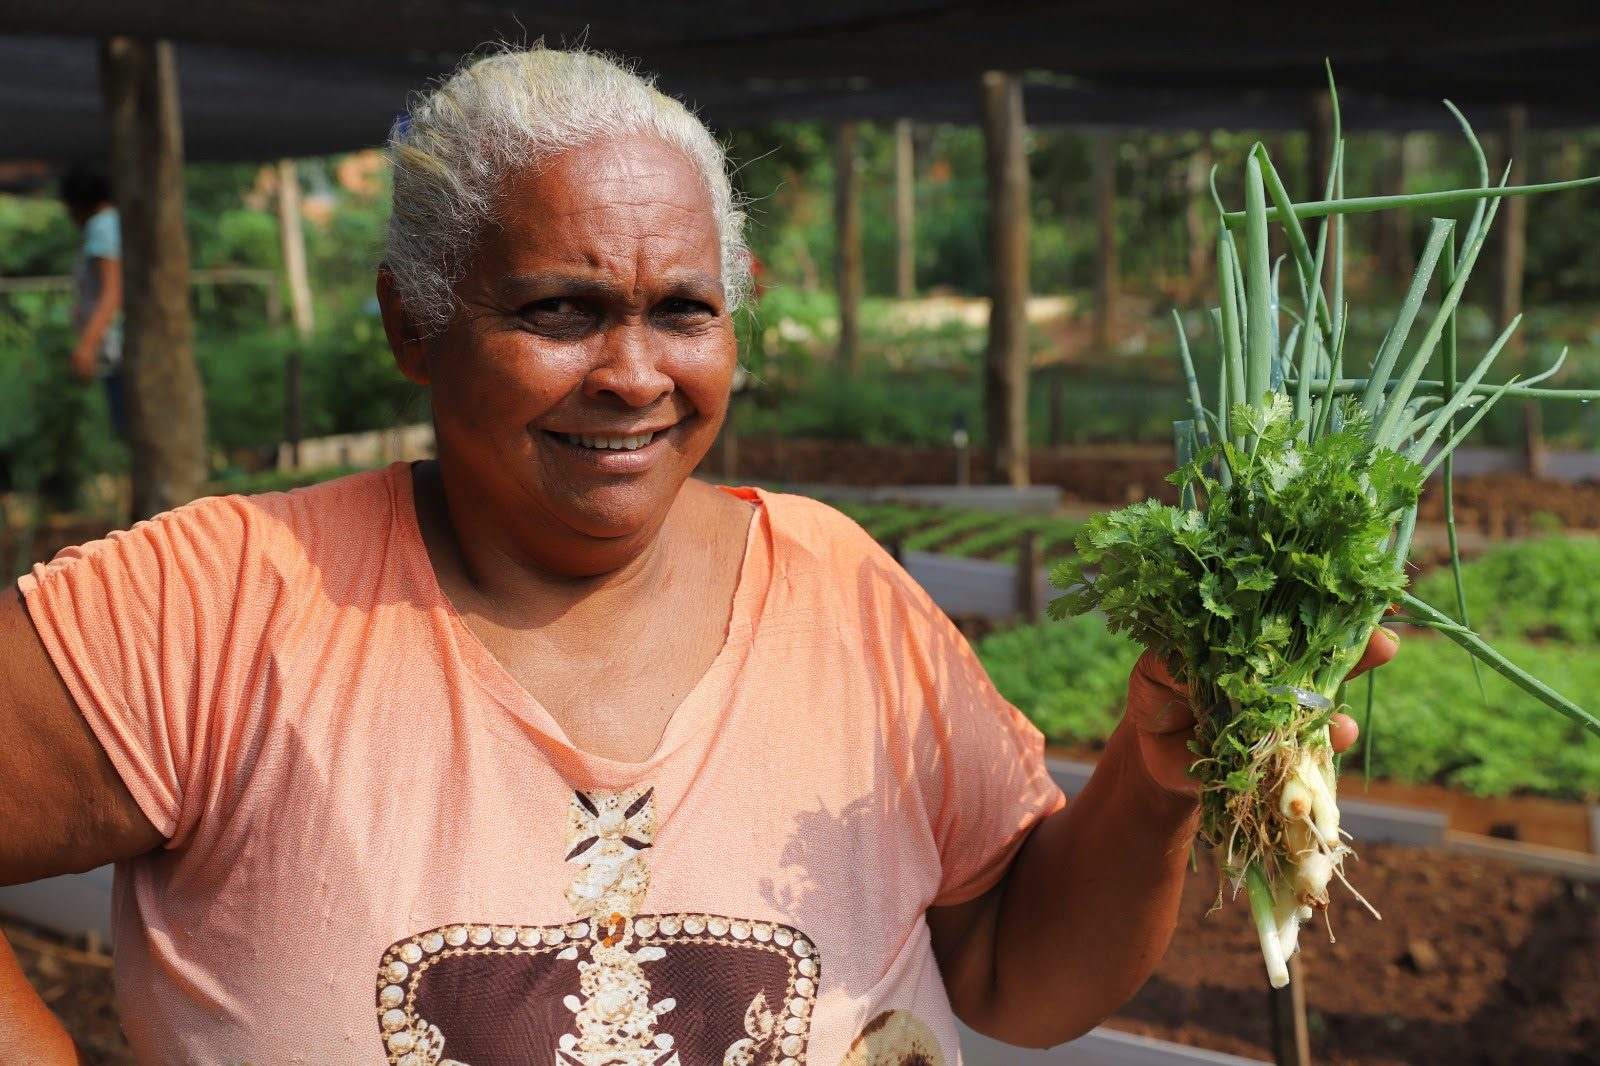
166,403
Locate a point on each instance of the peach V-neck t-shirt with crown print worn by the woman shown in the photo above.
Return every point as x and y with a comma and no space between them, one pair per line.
383,851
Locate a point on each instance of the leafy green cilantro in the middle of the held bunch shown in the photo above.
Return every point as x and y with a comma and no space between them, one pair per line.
1281,577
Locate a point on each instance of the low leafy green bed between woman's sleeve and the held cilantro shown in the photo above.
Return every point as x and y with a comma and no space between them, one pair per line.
1070,679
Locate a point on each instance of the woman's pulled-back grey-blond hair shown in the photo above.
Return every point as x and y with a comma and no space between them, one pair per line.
516,111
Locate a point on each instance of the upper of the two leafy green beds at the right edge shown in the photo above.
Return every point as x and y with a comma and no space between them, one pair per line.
1542,590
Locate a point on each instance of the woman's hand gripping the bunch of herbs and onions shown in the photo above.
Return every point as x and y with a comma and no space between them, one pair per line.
1161,716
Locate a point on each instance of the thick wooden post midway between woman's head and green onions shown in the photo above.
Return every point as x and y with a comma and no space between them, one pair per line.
1006,364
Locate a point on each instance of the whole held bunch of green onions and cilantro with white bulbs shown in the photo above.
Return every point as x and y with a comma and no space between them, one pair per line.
1300,495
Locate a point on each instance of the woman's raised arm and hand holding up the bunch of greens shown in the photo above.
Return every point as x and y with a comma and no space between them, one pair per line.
1090,902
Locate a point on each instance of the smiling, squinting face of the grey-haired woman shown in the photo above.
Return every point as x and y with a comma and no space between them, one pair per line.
590,366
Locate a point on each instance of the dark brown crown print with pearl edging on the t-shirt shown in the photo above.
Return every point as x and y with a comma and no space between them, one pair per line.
610,988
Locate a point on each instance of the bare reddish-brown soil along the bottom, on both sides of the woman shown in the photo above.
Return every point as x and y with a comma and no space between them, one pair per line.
1478,963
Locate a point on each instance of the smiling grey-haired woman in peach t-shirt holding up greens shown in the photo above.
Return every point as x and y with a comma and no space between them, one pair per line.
546,751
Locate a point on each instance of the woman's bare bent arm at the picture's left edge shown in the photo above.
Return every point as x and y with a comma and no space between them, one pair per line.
65,811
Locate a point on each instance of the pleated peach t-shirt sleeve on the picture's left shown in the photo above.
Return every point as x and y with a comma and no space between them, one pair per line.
142,627
